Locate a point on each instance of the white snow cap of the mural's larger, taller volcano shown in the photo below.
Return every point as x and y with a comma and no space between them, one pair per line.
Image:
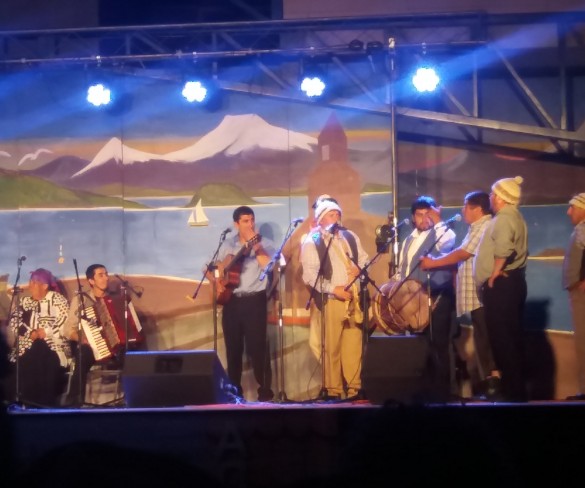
237,134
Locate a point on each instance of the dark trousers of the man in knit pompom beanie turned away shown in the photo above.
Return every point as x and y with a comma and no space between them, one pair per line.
504,310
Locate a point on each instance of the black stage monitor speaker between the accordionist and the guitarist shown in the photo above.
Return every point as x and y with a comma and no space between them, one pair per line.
174,378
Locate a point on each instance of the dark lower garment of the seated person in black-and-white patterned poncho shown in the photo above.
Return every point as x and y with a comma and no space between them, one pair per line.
41,378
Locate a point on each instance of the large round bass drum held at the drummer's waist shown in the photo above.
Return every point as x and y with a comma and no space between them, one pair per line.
402,306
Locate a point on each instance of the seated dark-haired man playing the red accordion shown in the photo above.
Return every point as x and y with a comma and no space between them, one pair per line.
95,299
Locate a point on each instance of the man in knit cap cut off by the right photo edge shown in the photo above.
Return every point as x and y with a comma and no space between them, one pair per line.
574,283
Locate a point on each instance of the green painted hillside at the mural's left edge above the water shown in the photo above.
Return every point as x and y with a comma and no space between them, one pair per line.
19,191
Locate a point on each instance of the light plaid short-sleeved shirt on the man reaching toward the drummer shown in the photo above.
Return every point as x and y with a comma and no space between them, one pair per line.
467,292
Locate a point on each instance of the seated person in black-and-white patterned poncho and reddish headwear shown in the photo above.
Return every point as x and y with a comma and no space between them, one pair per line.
43,354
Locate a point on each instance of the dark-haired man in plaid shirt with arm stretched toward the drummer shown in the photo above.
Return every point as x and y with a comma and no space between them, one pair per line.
476,213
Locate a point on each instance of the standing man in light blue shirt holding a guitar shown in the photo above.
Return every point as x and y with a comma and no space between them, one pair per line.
244,317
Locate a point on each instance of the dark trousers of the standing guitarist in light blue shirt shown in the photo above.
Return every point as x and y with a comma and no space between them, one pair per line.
244,323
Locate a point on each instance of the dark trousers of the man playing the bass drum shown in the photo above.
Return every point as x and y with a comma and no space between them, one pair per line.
440,334
